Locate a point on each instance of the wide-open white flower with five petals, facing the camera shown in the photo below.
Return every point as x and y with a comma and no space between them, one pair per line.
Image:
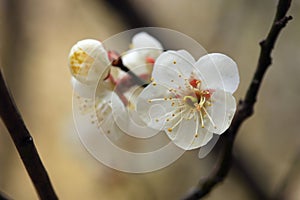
190,100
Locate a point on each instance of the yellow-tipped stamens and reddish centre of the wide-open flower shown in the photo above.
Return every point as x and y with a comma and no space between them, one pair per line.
189,102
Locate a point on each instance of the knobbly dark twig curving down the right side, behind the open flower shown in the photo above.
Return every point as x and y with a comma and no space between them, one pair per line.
245,108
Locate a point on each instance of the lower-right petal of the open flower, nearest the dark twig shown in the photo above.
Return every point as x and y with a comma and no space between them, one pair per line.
221,111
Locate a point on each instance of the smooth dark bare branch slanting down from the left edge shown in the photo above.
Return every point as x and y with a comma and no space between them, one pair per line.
24,143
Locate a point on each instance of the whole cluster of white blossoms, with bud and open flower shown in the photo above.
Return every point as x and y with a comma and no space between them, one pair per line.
188,100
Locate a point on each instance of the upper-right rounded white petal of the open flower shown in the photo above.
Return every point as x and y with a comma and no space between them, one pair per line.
219,71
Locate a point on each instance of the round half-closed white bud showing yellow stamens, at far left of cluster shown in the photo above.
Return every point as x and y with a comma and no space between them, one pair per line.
88,60
